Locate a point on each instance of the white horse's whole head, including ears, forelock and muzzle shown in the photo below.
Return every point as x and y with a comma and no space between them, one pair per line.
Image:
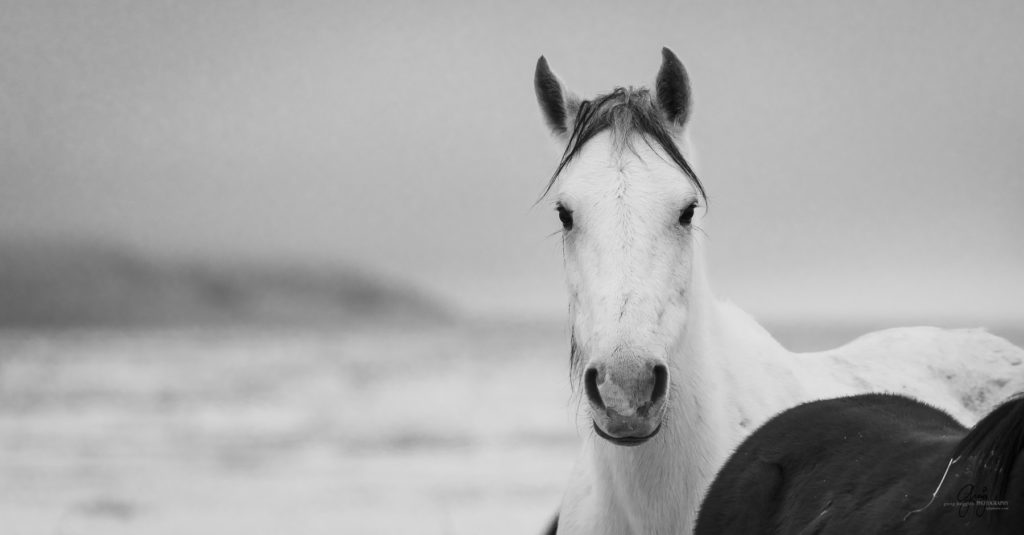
628,212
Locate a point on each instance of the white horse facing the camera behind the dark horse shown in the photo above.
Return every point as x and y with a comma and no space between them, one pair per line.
673,378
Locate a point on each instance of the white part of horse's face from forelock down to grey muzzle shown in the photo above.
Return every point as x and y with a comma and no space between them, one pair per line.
628,260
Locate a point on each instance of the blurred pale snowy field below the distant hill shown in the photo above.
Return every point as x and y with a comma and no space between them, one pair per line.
426,431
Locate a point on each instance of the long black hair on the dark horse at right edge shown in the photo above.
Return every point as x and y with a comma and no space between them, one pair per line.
997,442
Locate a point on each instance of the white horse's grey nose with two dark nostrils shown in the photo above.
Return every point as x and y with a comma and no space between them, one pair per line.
628,390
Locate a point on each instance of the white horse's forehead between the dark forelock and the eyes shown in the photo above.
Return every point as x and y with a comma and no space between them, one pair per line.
606,174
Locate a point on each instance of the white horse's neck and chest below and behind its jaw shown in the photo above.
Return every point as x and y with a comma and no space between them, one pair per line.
719,392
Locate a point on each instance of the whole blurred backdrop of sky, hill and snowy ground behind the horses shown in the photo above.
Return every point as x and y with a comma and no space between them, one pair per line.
270,267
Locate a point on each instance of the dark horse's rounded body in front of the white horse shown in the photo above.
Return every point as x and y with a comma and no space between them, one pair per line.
873,464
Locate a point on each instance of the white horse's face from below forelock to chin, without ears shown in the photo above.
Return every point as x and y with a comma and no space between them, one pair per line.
628,219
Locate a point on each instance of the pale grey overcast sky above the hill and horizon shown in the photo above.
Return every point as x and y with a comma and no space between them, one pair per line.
864,159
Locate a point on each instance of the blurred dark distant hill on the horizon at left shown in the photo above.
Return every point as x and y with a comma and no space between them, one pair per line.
76,285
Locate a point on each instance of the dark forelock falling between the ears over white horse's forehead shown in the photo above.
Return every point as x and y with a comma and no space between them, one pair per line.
628,113
